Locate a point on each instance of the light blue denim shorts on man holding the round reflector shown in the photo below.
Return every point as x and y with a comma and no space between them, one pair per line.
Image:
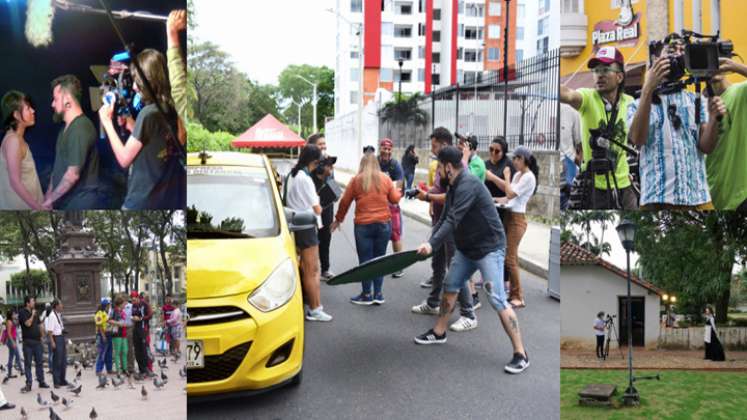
491,268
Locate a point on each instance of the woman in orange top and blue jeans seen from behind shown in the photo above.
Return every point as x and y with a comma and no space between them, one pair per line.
372,191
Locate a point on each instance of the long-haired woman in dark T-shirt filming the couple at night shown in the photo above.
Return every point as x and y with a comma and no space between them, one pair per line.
157,178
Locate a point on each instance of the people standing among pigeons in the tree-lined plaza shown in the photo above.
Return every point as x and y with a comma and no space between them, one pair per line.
123,337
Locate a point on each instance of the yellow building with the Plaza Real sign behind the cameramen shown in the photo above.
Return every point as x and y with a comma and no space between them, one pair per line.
585,25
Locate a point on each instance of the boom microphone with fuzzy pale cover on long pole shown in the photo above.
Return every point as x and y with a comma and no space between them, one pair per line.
40,14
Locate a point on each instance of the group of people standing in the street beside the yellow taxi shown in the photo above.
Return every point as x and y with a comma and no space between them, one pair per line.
478,219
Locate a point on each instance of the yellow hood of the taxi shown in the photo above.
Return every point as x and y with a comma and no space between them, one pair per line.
225,267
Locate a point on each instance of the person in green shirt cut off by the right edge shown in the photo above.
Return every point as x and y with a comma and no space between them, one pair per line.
725,166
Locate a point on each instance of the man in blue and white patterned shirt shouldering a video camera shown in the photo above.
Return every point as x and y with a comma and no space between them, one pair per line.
672,164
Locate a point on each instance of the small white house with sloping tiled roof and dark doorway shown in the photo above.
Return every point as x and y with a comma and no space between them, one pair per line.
588,285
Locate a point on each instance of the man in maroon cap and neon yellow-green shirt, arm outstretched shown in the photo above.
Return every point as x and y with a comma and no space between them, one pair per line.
597,106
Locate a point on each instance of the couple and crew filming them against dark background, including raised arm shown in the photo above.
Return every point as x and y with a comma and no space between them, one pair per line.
152,152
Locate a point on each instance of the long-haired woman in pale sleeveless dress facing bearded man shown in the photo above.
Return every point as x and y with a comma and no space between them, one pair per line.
19,183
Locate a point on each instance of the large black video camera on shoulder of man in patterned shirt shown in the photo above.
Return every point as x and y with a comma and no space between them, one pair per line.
699,62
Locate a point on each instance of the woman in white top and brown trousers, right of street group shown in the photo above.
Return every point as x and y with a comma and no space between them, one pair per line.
518,192
